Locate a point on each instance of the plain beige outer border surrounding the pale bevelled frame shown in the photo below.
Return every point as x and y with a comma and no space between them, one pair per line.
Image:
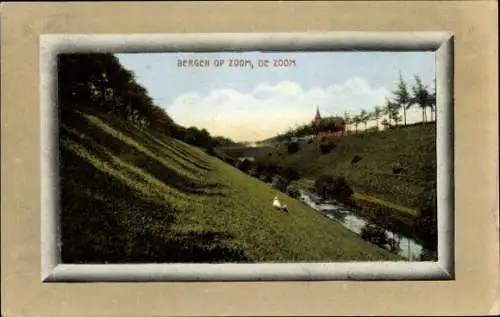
475,289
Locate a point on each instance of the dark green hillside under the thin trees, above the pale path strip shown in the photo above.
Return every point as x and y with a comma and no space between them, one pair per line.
410,149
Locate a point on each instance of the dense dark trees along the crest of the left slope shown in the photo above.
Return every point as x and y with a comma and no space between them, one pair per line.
99,82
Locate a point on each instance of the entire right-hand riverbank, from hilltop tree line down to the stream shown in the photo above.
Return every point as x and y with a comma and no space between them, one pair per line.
391,172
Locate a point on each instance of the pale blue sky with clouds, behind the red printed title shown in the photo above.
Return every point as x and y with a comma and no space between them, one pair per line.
254,103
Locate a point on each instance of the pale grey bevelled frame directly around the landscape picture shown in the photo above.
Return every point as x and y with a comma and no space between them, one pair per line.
439,42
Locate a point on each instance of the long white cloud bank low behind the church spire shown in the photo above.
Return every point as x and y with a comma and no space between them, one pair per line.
273,108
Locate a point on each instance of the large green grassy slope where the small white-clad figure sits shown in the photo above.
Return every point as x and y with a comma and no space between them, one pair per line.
134,195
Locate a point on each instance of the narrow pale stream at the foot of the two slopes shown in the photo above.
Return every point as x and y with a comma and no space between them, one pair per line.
408,248
